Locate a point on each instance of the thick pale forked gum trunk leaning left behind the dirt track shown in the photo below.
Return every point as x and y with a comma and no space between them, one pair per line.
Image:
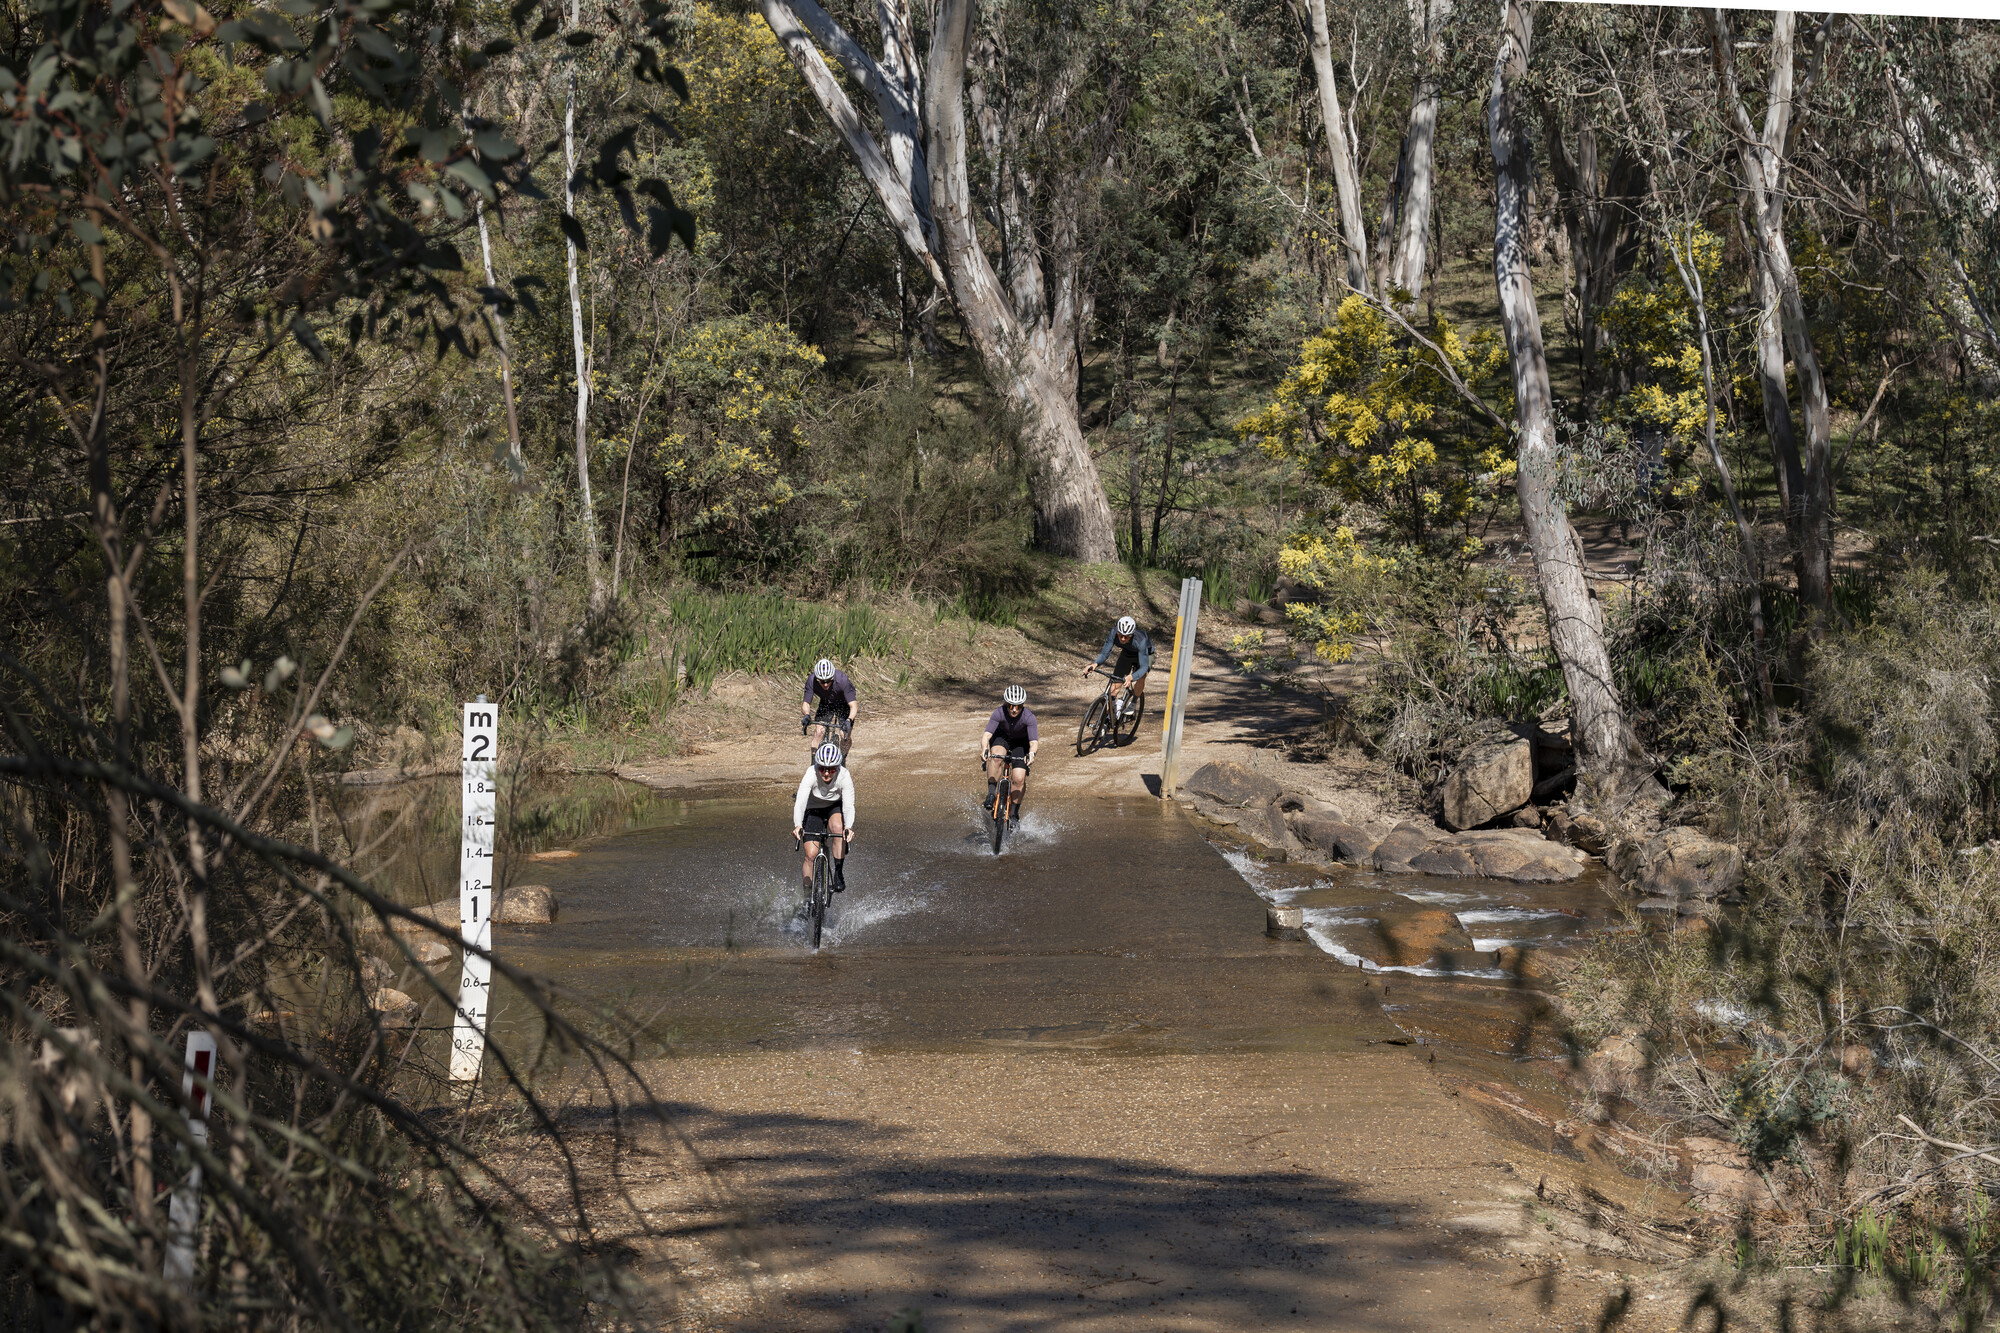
1025,331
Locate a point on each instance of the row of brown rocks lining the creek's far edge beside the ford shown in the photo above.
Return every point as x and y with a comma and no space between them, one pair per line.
1311,830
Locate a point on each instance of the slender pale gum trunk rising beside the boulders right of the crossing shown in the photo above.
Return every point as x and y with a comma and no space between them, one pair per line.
1607,752
